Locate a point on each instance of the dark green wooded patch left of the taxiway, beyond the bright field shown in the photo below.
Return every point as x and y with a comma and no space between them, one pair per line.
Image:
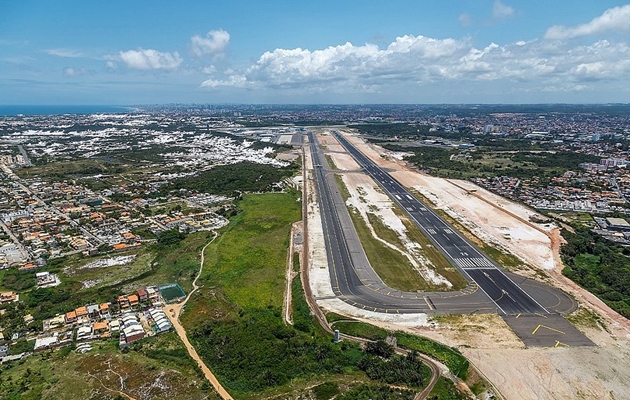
232,179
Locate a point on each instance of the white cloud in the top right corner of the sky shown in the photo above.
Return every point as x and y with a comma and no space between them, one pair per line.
616,19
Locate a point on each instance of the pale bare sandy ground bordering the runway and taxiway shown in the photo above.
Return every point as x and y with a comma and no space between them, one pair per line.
518,373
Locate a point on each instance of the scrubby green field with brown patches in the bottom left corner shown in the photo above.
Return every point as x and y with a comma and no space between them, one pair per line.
65,374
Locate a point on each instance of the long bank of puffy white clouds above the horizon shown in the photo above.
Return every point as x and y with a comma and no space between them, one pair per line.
417,61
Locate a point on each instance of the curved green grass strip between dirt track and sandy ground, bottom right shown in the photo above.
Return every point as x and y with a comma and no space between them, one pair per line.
452,358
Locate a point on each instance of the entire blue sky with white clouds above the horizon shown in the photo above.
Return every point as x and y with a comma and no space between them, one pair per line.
354,51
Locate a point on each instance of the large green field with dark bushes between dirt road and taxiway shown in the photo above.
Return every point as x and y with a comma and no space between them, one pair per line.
244,341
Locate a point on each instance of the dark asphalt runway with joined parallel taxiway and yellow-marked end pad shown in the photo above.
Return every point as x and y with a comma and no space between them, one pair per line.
520,301
